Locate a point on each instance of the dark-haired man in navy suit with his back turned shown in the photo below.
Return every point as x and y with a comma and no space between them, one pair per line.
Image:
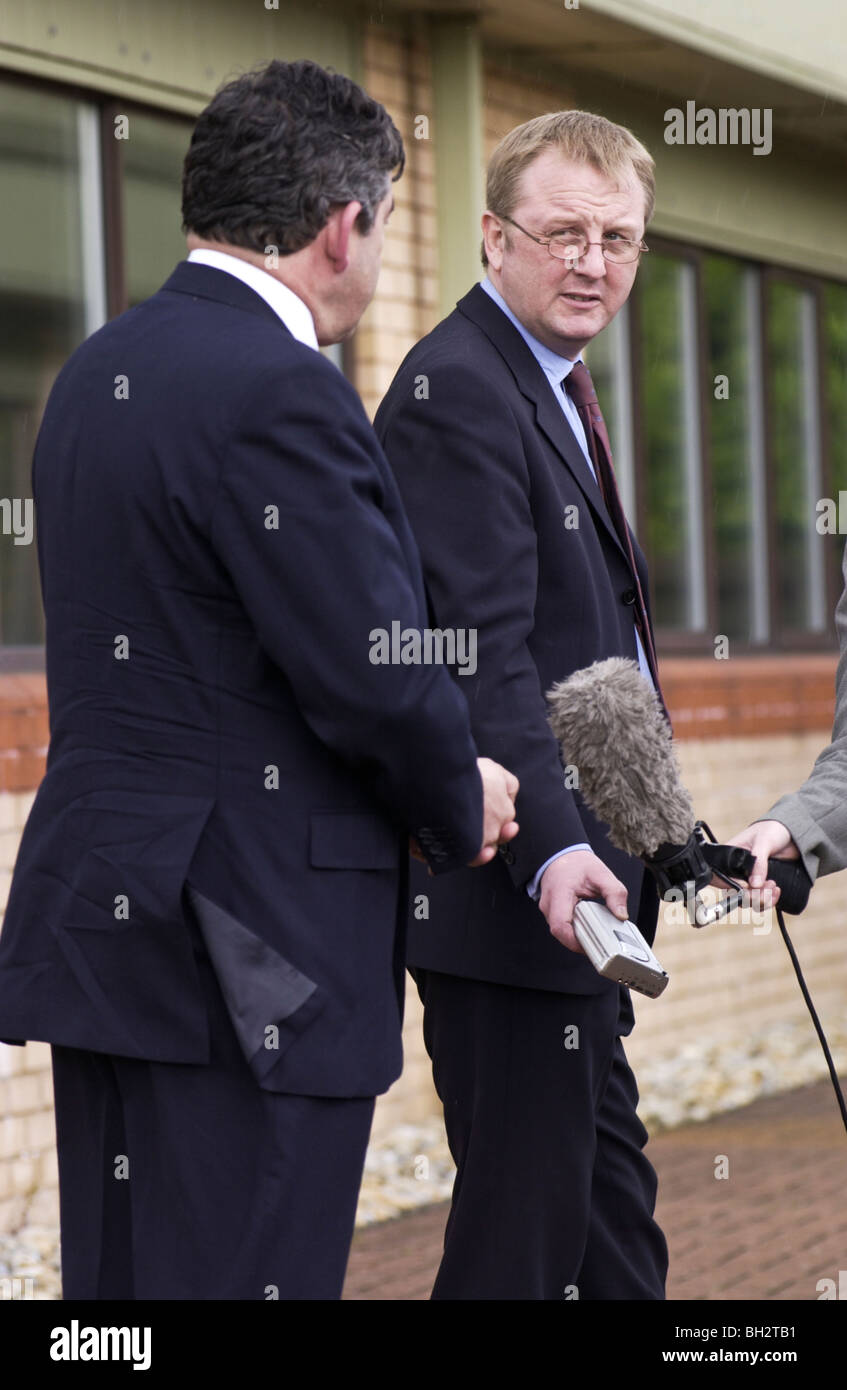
207,908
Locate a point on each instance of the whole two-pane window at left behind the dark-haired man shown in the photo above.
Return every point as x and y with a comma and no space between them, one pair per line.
60,218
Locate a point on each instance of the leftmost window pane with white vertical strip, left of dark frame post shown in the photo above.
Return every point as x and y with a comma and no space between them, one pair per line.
54,294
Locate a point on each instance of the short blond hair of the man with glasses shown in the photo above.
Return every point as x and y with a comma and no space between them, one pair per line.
579,136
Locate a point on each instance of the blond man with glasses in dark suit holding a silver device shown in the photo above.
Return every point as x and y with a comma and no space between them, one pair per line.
497,441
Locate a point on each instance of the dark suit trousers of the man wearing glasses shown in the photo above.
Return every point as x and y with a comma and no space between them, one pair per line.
554,1197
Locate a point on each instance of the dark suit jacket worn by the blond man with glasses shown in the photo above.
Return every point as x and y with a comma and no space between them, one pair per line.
492,473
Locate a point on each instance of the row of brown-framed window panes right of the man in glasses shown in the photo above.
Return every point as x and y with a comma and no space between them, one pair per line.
727,401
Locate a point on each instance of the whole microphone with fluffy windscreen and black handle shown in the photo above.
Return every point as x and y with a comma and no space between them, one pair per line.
611,726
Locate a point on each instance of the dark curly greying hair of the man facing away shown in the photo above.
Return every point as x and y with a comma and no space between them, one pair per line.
277,149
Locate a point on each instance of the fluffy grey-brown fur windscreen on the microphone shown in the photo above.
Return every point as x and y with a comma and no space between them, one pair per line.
611,728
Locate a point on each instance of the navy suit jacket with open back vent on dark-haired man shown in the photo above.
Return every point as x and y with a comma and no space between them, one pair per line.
219,534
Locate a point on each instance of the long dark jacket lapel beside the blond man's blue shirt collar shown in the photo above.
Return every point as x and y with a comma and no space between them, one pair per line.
533,384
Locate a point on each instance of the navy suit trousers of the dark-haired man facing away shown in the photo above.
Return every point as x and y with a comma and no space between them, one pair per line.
190,1182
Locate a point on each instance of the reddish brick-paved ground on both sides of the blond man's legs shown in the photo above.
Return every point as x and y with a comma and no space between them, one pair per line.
770,1231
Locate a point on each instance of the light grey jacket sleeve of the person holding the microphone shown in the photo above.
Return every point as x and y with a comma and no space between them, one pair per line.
817,812
